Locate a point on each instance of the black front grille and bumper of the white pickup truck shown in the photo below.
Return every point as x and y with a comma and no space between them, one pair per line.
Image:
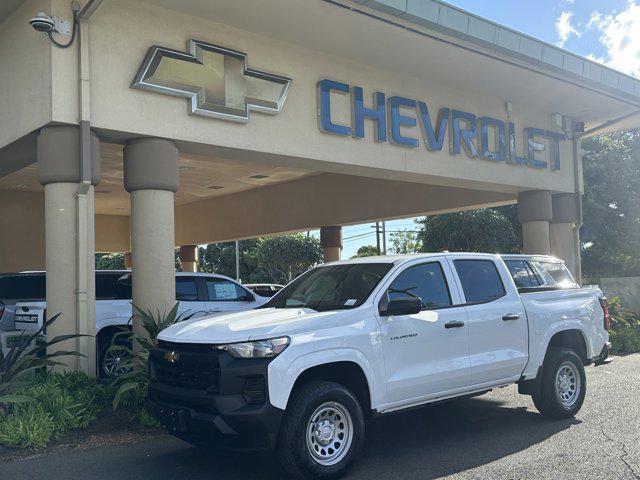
208,398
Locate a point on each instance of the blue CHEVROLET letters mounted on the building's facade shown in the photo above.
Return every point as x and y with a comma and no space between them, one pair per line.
484,137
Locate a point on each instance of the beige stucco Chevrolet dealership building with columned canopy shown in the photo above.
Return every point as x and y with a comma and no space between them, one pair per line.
171,123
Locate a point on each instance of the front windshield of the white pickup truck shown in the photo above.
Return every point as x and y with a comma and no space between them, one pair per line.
333,287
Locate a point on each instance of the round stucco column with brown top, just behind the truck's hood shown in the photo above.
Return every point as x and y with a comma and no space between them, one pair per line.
151,177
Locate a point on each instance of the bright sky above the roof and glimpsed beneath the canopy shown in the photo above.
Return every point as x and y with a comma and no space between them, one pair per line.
607,31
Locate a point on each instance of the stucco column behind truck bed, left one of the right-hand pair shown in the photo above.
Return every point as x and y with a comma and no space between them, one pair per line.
534,214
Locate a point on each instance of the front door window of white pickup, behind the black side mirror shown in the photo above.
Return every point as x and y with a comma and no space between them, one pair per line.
425,281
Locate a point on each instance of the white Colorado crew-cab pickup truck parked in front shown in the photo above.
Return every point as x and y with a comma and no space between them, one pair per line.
370,336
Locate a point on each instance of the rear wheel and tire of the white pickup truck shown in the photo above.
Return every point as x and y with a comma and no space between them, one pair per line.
561,389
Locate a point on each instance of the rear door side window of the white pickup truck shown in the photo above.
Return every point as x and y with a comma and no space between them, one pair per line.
480,280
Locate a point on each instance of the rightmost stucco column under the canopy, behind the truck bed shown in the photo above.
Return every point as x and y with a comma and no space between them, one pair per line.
563,234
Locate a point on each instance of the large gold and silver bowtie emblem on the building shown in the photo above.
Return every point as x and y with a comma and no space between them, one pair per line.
215,80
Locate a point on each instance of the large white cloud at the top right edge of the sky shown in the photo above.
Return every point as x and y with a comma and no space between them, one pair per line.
620,35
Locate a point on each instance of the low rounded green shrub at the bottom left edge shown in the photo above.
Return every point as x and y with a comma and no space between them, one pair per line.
28,426
